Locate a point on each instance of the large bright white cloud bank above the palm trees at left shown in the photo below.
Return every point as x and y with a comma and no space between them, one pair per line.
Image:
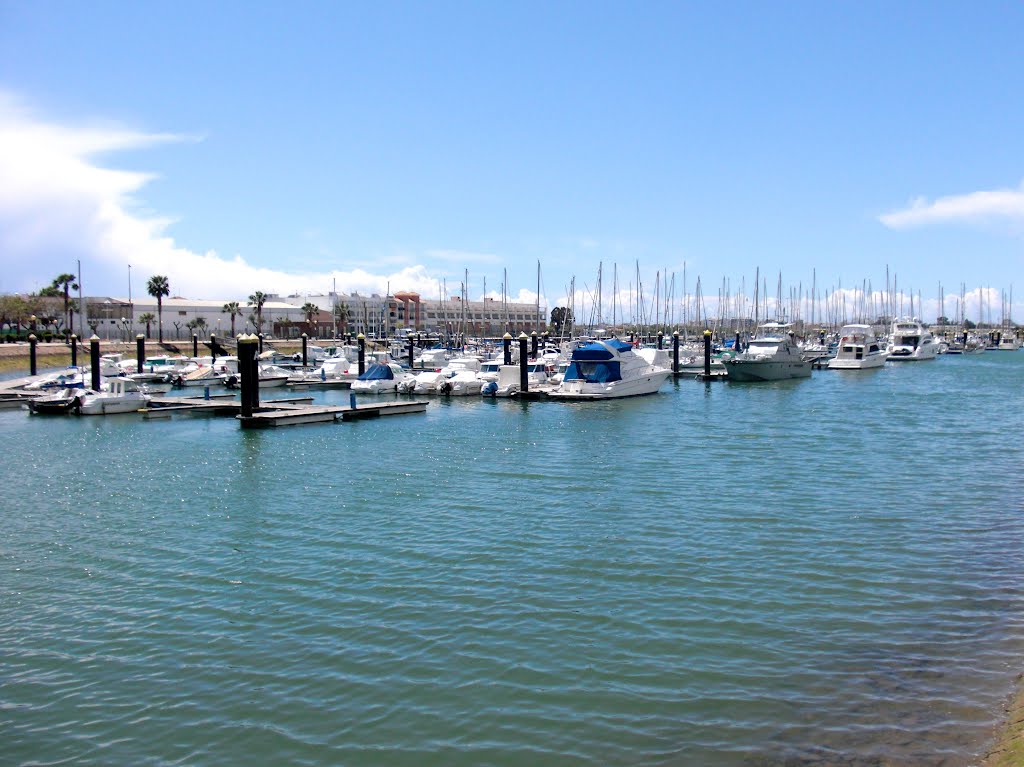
59,205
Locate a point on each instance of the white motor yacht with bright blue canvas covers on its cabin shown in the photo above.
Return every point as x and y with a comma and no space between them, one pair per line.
608,370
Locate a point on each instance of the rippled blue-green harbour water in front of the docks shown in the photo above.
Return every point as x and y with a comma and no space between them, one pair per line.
829,572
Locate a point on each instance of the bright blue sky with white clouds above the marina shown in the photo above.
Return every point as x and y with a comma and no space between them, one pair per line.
300,148
